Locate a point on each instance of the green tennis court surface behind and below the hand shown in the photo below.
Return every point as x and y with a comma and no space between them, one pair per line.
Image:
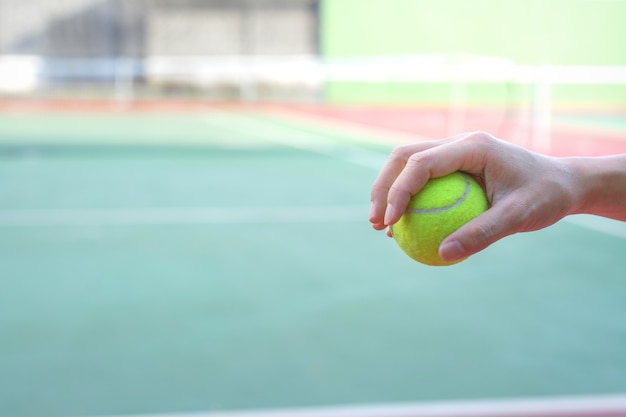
154,263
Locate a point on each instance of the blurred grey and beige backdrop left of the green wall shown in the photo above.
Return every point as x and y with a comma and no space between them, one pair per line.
146,49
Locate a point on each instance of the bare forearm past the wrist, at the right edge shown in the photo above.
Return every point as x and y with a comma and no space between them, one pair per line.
600,185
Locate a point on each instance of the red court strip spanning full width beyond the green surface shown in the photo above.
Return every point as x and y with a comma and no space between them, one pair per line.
570,133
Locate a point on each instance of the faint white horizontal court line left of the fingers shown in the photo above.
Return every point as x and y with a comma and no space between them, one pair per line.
181,215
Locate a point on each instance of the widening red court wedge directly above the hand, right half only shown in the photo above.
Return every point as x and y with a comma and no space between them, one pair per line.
578,136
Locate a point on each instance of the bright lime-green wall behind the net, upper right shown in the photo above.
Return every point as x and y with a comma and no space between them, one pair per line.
533,32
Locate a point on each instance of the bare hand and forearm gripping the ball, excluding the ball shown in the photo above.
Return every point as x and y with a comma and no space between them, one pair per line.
527,191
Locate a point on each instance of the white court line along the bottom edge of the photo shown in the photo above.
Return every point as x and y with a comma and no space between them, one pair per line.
585,406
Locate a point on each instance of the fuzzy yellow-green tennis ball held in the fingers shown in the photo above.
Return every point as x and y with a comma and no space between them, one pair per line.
442,206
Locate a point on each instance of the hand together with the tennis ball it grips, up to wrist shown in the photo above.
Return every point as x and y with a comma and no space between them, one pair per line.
426,197
